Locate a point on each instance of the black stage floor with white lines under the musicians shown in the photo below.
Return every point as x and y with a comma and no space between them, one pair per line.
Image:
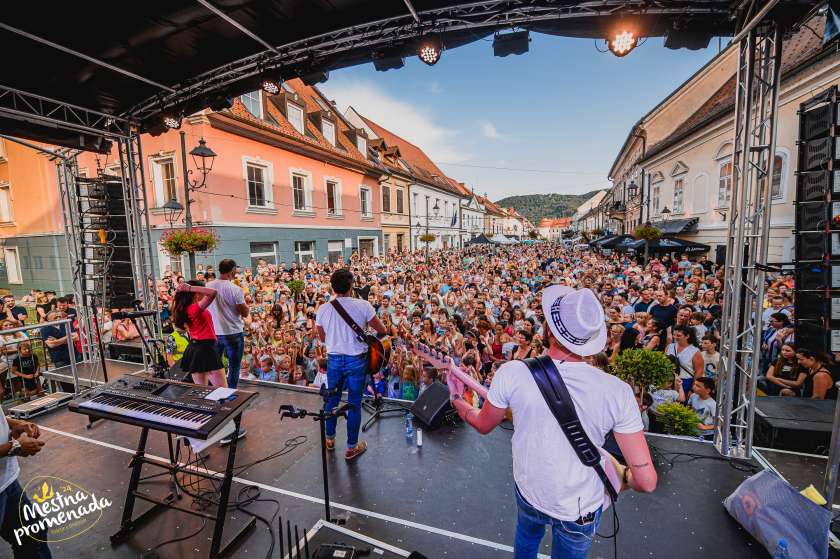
451,498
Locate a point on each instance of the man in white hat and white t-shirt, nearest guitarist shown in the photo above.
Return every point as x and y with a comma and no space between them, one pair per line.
553,487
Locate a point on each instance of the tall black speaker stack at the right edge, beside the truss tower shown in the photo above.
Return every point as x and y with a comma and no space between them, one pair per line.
817,248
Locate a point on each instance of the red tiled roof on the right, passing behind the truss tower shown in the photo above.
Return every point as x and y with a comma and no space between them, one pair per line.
805,44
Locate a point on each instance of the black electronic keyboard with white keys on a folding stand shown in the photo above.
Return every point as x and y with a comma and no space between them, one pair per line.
163,405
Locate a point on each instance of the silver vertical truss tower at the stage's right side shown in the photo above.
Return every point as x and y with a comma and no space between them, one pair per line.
754,147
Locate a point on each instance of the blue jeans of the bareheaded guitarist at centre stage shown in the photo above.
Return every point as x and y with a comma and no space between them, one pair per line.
346,371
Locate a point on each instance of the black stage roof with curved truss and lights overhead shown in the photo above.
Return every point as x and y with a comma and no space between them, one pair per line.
136,61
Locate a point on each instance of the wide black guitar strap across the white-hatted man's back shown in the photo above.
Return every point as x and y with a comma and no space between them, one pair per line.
560,403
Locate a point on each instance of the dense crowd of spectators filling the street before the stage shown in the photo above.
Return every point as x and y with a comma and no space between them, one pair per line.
480,305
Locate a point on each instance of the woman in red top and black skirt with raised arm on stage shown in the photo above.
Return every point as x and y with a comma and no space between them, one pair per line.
189,310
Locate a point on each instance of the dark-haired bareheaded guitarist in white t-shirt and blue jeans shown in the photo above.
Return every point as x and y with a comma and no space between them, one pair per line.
347,360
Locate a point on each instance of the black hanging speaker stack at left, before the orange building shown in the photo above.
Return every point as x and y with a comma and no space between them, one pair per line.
106,256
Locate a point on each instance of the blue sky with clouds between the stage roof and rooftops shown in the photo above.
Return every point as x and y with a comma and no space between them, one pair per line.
562,107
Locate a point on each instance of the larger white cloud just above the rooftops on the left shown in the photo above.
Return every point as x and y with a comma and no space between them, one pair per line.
413,123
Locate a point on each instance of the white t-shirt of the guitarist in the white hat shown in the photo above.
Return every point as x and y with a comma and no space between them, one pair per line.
546,469
